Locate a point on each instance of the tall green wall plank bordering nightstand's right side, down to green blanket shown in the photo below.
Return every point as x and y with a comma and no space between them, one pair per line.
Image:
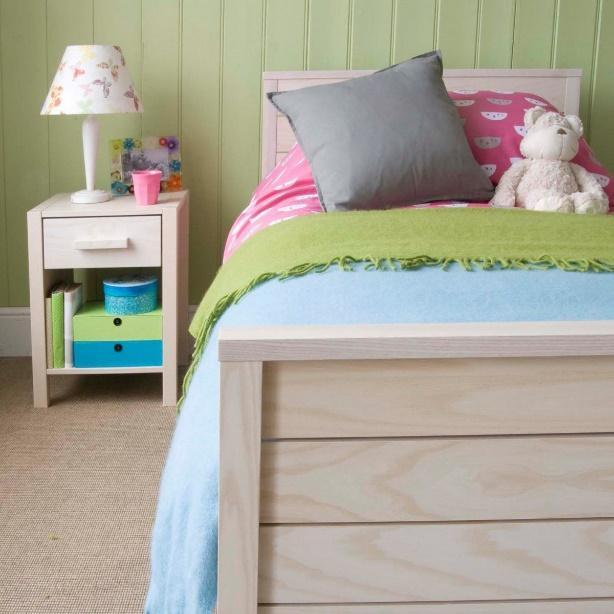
200,134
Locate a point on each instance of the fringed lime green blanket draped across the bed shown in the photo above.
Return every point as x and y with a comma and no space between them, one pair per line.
405,239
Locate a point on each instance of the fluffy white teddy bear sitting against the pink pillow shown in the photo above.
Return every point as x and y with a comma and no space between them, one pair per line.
545,180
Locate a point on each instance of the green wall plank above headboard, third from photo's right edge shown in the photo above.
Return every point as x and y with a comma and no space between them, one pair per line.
533,33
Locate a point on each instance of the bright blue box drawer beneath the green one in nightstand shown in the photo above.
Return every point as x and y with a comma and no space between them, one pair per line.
95,354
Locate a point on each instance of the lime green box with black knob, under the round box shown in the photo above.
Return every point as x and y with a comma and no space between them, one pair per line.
93,323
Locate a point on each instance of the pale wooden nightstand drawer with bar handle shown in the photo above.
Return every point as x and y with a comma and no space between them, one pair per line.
99,242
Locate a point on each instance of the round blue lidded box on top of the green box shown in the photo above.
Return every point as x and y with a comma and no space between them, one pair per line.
130,294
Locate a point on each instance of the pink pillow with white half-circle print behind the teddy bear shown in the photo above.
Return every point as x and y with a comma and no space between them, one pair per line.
494,126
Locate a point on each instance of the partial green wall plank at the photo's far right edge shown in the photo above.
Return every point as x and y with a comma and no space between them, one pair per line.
602,110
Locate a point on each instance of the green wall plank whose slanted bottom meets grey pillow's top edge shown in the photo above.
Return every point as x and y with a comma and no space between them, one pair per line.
413,28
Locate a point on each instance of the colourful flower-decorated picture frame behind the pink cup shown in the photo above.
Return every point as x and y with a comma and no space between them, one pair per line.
149,153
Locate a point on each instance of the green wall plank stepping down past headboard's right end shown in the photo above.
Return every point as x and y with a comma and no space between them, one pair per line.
574,44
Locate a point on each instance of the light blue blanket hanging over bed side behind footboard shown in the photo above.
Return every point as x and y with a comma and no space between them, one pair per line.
184,545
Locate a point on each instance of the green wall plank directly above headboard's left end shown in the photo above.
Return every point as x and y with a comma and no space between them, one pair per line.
285,34
